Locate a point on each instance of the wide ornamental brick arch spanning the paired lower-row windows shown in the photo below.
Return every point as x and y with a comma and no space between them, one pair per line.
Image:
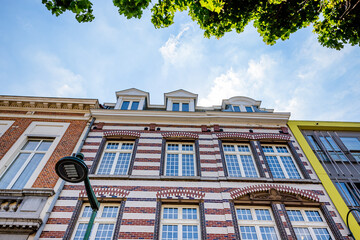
273,192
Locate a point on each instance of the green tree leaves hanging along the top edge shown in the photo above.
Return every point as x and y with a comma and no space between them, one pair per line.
336,22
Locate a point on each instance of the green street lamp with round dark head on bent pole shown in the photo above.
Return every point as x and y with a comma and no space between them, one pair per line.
73,169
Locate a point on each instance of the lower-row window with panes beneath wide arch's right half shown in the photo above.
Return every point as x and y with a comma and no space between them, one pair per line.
309,224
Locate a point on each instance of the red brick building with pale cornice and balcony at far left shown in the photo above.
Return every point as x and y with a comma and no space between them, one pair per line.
34,133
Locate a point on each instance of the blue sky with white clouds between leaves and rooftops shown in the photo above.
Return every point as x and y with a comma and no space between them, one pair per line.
44,55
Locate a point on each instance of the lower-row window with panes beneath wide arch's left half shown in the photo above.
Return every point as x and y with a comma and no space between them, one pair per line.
256,223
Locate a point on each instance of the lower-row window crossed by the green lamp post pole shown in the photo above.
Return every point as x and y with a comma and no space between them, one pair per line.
104,224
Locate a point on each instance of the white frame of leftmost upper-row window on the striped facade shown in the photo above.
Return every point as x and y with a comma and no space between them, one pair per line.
117,153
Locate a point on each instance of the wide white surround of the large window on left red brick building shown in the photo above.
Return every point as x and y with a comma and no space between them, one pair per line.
31,132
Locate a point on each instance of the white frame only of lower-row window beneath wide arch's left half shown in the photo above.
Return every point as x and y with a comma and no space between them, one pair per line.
255,222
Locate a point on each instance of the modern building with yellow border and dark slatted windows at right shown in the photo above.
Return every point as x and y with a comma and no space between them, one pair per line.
333,149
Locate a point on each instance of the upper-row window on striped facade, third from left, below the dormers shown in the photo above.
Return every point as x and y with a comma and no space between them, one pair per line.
239,160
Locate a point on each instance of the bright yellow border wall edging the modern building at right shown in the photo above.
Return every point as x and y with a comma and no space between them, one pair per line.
296,127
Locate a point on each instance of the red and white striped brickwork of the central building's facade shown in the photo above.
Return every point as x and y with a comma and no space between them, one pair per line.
145,190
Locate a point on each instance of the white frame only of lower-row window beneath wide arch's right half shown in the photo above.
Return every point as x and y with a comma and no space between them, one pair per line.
308,224
